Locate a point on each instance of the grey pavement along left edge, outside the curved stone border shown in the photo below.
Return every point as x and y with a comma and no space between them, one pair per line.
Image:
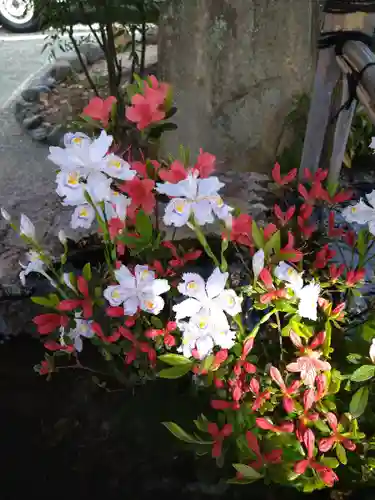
26,177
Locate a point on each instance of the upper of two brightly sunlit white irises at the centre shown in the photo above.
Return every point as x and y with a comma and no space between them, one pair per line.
210,298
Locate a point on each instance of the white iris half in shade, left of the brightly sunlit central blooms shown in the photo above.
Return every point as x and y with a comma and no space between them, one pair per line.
138,290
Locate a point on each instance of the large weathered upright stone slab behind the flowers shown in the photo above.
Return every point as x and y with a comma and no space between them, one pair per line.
235,66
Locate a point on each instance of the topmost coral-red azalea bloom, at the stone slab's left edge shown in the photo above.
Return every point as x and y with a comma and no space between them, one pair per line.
147,108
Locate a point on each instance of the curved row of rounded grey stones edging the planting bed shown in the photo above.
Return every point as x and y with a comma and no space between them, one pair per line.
27,109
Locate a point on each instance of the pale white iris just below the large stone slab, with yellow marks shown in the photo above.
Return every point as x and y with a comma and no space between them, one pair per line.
193,196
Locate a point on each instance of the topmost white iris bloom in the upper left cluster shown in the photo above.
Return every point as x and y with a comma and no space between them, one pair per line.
81,153
